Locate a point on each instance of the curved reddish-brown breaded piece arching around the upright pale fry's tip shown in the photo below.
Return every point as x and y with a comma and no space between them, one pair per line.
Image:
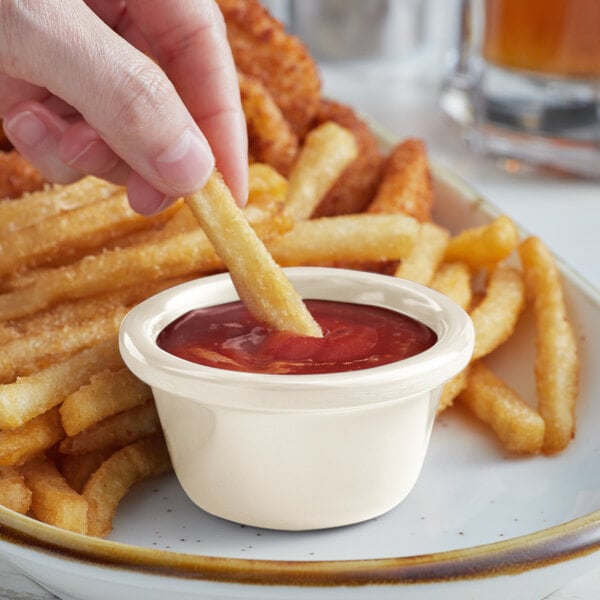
356,186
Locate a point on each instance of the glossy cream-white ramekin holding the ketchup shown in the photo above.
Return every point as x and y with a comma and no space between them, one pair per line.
299,452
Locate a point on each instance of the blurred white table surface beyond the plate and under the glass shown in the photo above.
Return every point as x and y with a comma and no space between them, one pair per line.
564,212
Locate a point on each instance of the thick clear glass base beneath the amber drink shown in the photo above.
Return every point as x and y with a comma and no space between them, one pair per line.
542,121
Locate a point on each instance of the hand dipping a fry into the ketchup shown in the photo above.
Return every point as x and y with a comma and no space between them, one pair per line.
79,94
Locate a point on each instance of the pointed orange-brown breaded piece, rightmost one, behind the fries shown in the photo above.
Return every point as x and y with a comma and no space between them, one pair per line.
406,182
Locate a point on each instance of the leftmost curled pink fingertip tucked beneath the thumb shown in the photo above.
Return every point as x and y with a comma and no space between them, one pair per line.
35,132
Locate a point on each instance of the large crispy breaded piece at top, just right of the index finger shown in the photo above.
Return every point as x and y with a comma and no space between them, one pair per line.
262,48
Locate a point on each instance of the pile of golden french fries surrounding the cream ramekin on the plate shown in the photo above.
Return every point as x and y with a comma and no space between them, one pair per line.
77,429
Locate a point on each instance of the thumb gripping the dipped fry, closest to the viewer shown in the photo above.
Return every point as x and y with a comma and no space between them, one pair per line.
122,94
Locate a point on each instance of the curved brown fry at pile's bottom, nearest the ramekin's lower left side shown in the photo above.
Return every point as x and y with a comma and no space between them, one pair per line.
117,474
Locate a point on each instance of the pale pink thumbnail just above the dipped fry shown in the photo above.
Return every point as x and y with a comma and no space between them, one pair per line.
185,164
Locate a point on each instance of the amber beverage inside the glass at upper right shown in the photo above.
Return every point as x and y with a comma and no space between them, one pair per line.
555,37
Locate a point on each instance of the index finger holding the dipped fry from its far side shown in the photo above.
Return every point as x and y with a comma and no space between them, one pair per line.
189,41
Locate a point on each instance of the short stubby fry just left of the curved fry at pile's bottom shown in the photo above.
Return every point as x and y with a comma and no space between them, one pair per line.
52,500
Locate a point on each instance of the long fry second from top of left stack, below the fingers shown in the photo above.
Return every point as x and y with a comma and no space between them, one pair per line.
83,228
